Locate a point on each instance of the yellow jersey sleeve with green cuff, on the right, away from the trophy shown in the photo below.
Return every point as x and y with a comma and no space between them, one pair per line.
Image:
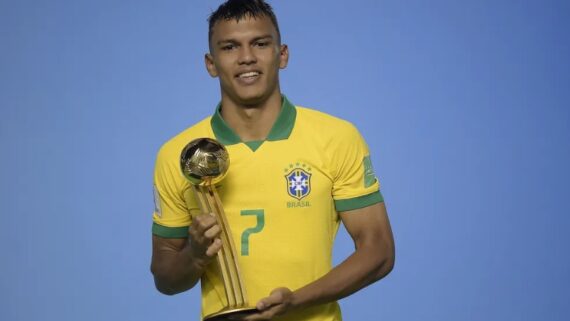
355,184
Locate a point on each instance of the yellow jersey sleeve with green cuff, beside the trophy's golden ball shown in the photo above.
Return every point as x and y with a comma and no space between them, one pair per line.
171,216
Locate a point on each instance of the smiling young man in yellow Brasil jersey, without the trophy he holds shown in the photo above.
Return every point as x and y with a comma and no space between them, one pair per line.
294,175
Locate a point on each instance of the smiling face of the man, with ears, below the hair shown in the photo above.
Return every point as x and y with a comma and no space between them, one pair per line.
246,56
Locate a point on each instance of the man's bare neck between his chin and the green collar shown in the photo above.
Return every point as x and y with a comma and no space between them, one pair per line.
252,122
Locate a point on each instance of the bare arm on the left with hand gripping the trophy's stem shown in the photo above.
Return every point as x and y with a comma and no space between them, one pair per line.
177,264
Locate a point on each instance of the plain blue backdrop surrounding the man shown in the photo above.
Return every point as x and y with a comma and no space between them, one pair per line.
465,106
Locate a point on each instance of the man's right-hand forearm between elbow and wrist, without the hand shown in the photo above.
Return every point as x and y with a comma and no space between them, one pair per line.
365,266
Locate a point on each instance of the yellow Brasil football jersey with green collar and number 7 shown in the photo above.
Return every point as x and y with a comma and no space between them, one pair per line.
281,197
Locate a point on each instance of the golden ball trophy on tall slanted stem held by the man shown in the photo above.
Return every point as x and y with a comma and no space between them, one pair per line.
205,162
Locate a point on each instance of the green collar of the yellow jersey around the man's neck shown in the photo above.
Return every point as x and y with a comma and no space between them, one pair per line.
281,129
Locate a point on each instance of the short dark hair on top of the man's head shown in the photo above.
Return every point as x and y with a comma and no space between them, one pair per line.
240,9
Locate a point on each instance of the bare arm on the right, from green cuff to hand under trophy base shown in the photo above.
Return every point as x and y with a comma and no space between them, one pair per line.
372,259
